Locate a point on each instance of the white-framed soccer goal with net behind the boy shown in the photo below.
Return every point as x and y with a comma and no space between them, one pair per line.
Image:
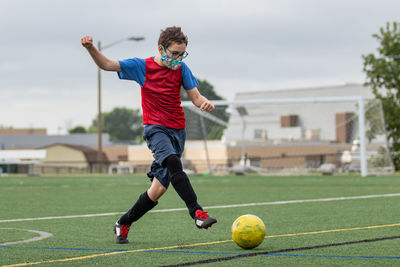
288,136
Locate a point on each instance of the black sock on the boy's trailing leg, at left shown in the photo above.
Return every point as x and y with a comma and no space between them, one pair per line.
142,205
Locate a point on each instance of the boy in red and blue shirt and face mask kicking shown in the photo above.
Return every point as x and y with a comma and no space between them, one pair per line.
161,78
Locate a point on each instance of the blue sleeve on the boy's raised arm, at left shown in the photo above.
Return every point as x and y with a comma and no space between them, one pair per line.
133,69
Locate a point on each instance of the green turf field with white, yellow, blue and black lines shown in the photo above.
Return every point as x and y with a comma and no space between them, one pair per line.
310,221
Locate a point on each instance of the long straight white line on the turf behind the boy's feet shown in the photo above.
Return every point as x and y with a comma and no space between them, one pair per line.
210,207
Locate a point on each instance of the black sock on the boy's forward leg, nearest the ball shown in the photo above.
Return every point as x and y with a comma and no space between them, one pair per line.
182,186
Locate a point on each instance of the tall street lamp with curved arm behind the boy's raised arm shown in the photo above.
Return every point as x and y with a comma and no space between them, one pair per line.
99,116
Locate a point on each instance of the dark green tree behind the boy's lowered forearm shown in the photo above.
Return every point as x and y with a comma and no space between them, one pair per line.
193,121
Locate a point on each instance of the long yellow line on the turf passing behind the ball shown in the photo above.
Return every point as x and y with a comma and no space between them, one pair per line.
197,244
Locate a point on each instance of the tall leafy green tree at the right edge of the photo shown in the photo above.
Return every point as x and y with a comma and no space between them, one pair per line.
383,75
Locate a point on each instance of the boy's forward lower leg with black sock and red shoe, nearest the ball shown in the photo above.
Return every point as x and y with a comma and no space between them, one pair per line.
183,187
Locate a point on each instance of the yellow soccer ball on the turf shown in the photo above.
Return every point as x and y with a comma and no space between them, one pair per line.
248,231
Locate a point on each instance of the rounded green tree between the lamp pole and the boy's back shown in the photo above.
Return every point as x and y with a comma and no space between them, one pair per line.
122,124
